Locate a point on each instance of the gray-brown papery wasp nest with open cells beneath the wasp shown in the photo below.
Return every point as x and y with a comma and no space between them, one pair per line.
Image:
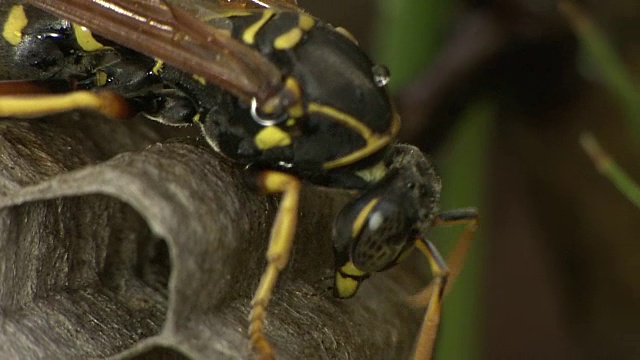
115,242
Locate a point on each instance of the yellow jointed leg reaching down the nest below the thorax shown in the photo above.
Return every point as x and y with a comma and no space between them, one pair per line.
280,242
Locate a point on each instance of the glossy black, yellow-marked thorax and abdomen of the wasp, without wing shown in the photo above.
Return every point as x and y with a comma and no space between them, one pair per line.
343,107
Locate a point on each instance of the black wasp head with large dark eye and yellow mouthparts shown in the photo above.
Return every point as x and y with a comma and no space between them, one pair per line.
374,231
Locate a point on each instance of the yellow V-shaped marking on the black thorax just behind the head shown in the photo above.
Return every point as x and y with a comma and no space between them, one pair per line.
374,142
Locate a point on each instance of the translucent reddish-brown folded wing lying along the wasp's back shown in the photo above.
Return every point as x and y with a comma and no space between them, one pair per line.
176,35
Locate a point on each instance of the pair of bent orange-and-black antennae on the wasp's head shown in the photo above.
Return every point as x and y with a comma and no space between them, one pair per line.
443,275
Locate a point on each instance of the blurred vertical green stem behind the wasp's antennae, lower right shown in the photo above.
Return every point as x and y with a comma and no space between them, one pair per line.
463,171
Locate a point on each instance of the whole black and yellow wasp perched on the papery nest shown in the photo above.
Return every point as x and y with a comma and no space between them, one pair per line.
270,86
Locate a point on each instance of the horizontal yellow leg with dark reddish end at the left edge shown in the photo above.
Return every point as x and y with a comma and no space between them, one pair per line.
33,105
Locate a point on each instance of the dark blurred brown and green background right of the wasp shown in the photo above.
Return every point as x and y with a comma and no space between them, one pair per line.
499,93
